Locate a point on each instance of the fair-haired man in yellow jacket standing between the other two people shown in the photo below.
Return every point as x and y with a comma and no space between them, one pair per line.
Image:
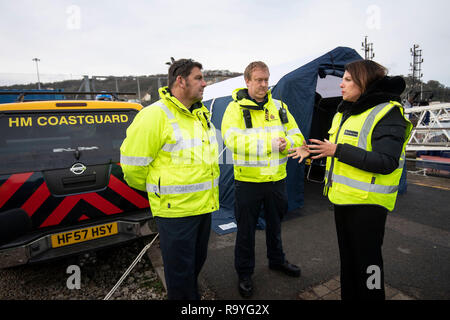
259,130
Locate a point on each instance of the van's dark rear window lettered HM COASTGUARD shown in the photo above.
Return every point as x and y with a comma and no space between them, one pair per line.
53,140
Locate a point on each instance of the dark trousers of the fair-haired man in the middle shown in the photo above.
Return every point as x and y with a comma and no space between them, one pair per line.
249,198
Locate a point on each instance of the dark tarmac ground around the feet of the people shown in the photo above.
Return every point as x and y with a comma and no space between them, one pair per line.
416,250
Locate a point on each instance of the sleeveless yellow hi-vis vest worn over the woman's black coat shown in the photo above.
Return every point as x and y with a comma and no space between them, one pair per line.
348,185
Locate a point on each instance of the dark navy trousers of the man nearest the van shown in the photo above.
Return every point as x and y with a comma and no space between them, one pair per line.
184,246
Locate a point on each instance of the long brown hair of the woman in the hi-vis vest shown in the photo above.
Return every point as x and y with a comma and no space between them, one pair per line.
365,72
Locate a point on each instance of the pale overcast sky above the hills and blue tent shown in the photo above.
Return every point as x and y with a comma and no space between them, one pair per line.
137,37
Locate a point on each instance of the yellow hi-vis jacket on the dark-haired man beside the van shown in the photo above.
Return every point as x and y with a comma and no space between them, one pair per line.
173,155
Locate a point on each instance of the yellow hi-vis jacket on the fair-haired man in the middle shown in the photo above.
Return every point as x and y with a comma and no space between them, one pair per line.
253,157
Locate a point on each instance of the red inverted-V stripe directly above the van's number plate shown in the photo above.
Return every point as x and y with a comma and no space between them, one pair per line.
69,202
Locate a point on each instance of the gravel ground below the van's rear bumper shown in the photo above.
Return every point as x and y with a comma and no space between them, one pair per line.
99,272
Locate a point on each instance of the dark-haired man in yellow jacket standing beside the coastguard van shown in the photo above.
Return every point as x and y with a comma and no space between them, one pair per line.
171,152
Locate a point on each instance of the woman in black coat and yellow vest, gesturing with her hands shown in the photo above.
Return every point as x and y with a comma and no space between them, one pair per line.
360,226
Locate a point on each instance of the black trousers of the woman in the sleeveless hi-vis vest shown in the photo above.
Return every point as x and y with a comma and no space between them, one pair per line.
360,232
